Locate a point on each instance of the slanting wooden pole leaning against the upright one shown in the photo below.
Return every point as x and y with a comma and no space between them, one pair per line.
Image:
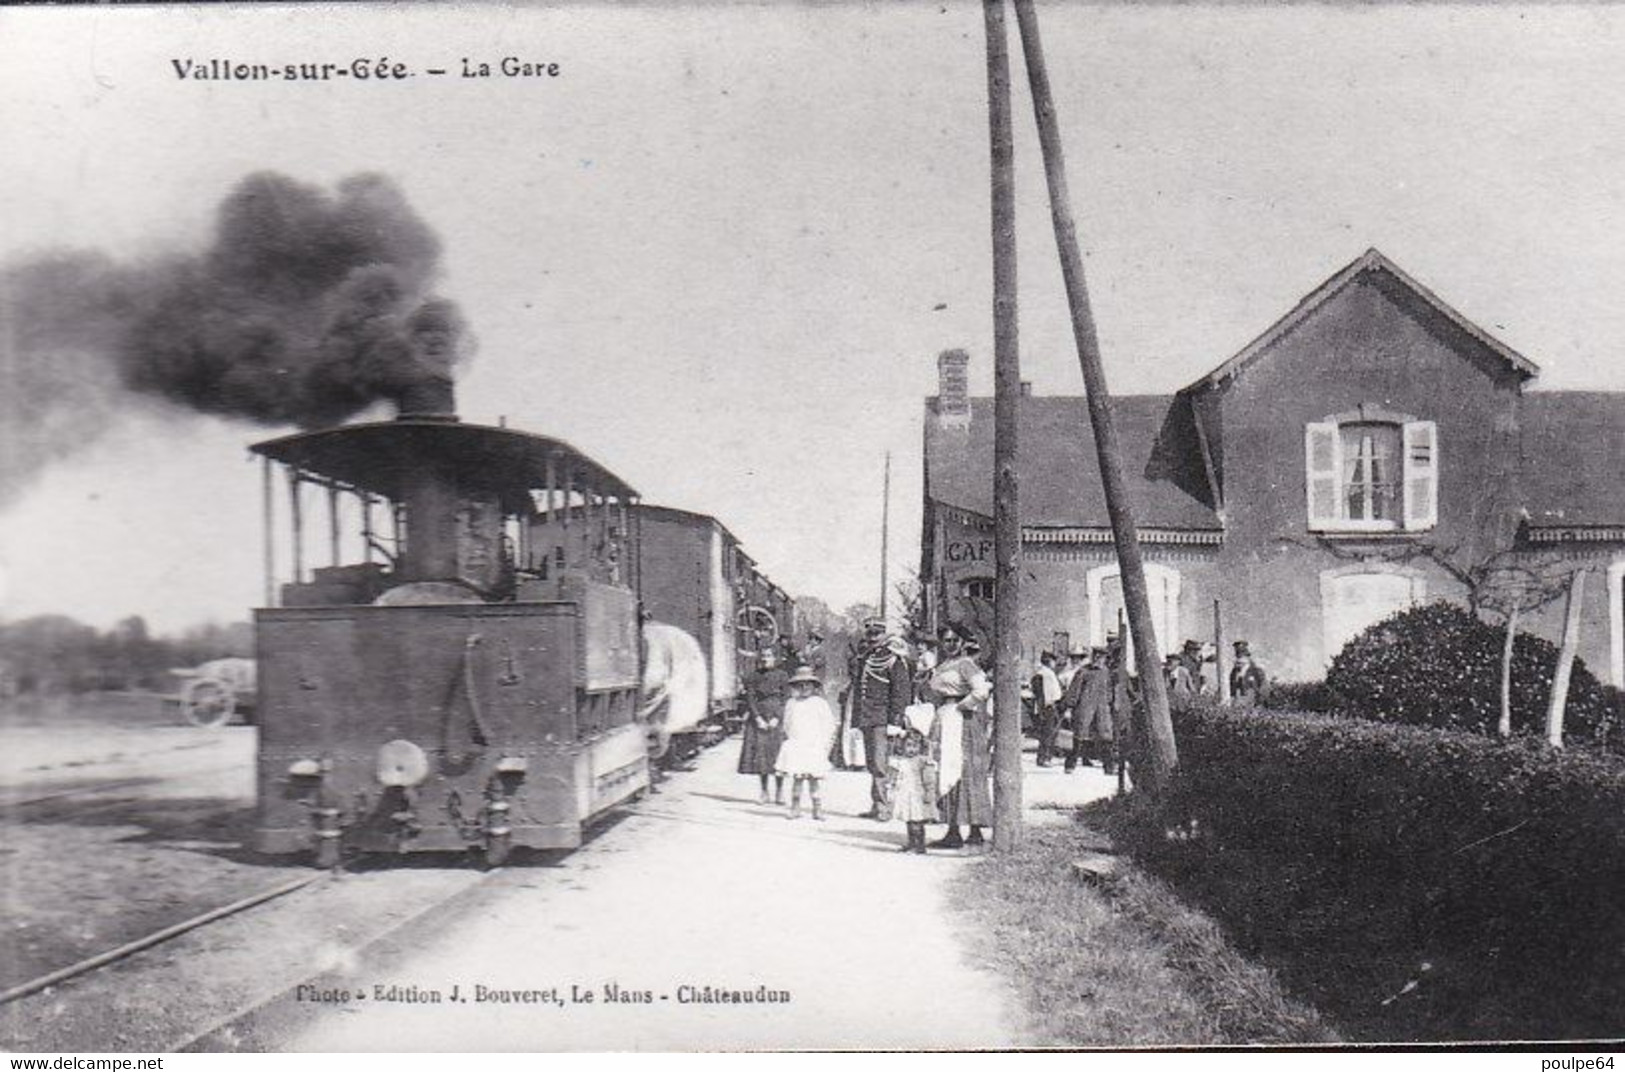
1163,756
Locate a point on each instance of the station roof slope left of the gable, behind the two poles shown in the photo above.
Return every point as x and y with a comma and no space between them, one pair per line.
1060,473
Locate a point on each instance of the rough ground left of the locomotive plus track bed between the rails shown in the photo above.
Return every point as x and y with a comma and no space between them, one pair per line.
142,828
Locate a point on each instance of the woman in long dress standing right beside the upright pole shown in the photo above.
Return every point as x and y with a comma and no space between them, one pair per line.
963,743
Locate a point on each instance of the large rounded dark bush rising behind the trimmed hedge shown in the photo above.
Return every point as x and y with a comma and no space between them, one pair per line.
1441,667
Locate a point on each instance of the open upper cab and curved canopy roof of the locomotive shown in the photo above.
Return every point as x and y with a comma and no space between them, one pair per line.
433,509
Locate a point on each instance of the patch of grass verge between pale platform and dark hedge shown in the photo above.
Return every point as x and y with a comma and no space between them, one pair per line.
1124,964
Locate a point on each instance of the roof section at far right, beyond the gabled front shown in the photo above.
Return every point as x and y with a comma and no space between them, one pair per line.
1574,459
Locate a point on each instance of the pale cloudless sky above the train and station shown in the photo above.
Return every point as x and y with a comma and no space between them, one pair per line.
721,251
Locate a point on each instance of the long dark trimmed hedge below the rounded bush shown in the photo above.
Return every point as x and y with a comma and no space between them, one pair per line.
1504,862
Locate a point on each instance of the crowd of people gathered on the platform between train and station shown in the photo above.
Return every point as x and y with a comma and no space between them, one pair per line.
919,720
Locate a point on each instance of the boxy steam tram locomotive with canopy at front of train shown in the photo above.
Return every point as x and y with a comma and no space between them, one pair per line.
466,670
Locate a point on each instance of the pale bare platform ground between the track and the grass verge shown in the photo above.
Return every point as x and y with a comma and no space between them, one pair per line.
696,888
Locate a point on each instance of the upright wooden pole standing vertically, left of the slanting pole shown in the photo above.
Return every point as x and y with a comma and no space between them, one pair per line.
1007,399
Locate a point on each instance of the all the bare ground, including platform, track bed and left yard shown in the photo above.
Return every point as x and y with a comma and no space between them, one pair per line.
696,888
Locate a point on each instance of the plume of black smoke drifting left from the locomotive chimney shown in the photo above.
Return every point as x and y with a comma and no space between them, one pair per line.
306,309
